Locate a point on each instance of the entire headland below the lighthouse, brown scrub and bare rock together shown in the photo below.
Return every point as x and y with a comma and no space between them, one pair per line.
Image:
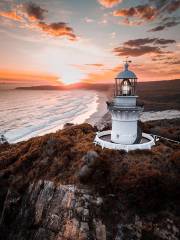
136,193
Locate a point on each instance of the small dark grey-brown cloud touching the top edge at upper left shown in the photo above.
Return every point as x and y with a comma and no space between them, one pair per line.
34,12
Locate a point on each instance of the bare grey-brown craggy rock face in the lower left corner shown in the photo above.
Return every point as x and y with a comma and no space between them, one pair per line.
46,211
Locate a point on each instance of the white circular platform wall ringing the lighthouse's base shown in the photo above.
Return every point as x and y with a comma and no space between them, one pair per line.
104,140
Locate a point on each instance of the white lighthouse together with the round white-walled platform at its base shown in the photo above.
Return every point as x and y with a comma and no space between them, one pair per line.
126,133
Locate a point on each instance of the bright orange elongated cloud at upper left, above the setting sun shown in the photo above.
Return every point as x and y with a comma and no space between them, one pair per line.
59,29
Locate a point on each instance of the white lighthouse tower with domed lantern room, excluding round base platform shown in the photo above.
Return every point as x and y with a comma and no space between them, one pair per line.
124,110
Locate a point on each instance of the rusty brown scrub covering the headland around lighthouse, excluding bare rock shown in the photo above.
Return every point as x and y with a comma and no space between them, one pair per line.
137,176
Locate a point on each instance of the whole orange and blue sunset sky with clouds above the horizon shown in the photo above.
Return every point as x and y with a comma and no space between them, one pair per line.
66,41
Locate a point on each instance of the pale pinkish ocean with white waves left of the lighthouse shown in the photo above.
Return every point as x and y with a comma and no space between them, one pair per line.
28,113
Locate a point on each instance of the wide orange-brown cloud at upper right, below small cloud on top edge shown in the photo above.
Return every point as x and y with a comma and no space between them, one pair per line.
144,12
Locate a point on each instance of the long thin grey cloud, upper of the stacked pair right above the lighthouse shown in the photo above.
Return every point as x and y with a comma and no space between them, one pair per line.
144,41
